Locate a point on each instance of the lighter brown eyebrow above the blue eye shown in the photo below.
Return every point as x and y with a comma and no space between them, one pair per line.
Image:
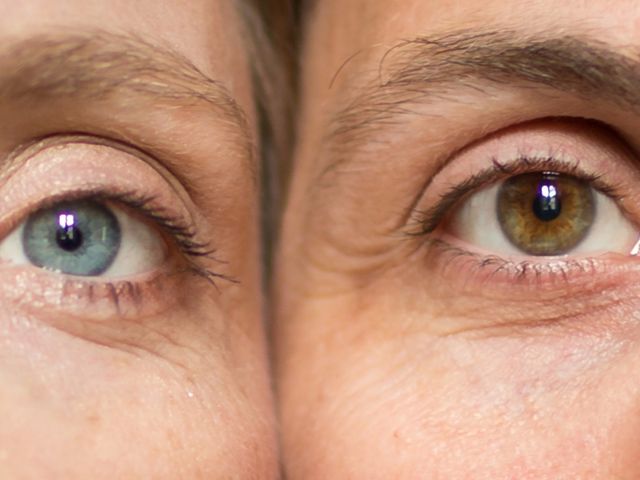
98,65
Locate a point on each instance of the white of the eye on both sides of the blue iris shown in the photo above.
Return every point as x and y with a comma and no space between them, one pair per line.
141,248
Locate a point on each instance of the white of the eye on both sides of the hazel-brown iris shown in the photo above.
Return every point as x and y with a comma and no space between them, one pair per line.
476,222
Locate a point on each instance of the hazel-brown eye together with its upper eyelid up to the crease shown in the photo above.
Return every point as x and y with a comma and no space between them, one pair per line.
592,168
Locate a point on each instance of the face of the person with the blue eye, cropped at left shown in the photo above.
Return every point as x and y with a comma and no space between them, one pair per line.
150,364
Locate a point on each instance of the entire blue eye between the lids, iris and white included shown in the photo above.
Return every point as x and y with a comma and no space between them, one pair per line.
86,238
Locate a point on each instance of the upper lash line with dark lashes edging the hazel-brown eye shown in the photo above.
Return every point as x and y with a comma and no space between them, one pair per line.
428,221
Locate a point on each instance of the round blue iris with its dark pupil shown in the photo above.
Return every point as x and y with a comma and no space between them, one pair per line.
77,238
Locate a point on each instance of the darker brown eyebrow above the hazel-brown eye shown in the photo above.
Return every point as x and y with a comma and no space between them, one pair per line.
427,68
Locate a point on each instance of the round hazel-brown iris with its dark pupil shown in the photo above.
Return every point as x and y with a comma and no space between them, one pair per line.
545,213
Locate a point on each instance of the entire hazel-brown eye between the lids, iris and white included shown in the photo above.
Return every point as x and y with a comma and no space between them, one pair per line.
543,214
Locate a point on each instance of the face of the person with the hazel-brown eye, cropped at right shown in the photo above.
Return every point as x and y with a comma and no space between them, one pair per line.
431,325
